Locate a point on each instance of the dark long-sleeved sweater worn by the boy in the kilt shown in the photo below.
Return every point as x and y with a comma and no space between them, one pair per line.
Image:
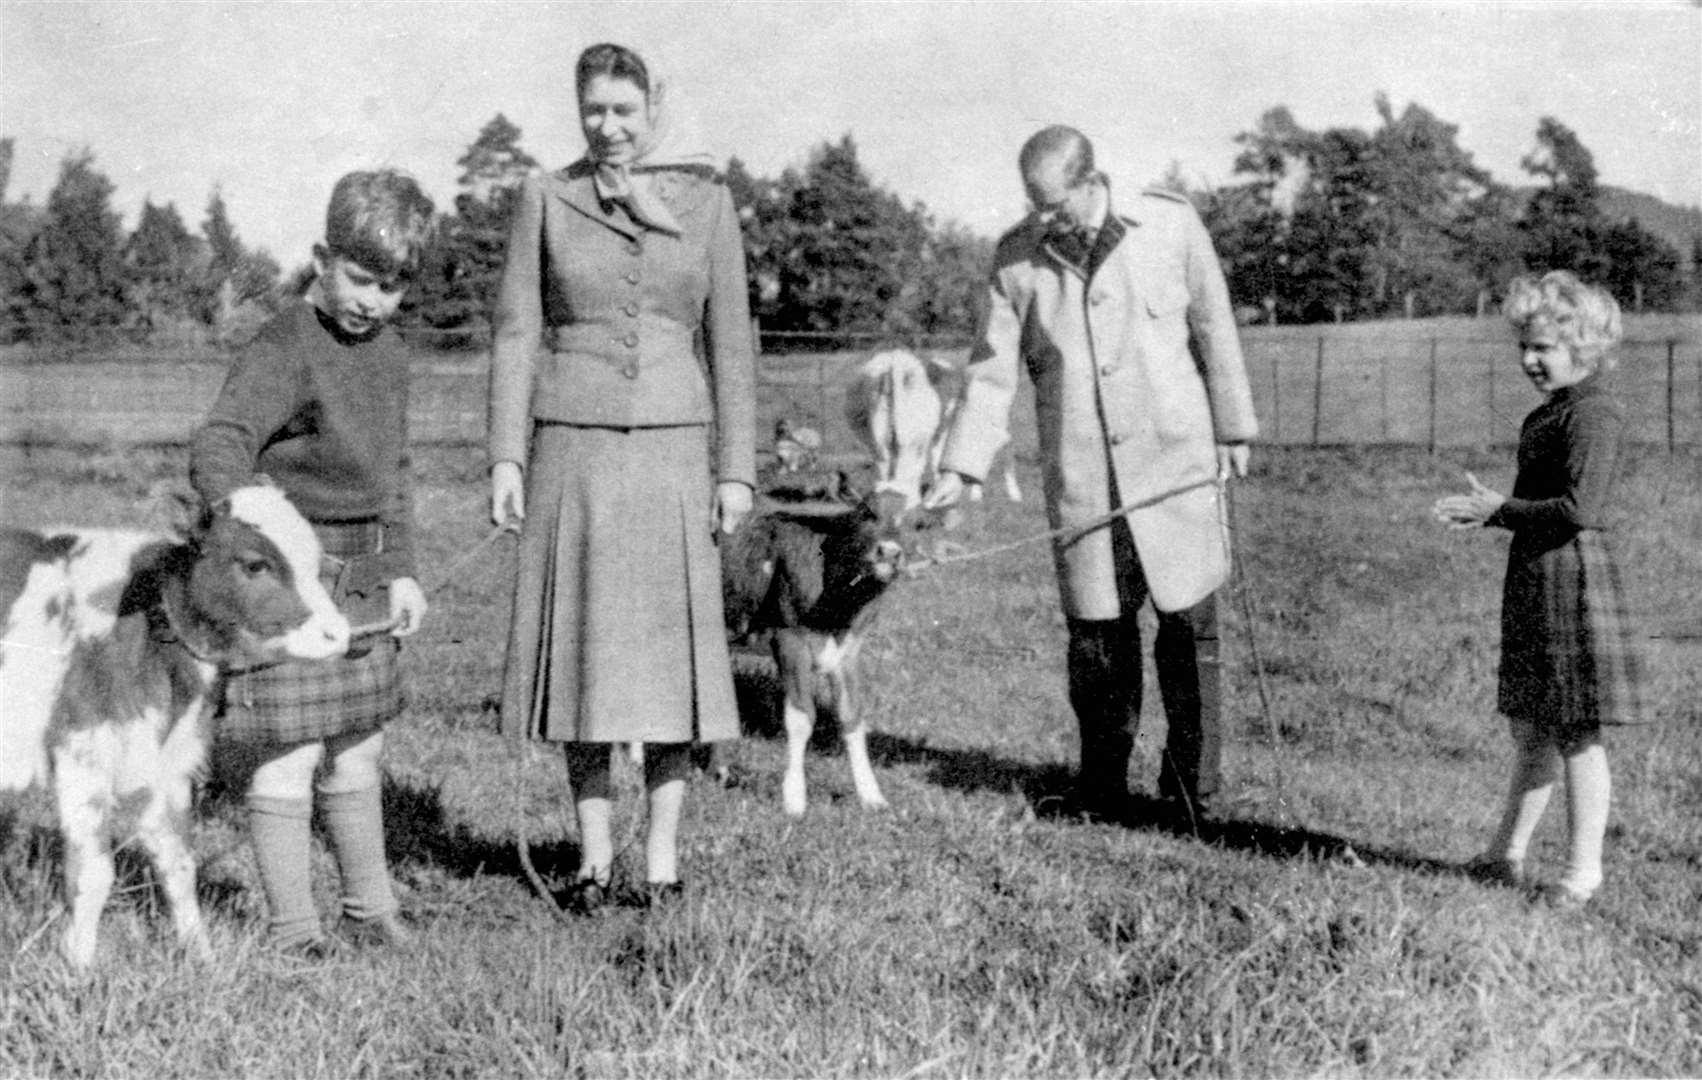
326,418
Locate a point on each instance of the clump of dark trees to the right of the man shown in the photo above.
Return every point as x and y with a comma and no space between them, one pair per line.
1400,222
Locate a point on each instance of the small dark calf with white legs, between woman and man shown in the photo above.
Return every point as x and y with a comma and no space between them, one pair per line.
811,579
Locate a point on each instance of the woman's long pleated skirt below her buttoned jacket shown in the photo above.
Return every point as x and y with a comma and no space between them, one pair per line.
617,630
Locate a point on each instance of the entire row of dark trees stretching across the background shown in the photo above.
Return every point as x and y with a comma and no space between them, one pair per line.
1316,225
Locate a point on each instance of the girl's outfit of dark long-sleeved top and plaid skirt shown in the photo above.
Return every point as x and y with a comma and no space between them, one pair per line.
1570,652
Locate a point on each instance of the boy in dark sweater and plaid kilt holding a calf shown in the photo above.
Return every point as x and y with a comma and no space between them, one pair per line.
319,404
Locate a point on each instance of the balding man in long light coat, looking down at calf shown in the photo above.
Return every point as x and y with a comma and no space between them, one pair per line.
1122,322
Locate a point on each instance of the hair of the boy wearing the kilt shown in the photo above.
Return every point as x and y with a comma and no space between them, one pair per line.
380,220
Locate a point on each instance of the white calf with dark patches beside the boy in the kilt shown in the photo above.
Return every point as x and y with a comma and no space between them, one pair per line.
111,657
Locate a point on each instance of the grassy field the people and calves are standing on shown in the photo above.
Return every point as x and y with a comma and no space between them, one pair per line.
971,931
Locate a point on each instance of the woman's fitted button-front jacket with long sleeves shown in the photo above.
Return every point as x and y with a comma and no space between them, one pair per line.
607,324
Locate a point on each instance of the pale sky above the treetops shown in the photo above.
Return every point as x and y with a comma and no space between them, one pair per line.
273,101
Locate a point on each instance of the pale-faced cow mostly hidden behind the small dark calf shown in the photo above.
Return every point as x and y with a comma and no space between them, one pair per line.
901,407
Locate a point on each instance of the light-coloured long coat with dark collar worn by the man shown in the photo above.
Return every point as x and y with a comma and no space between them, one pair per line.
1138,377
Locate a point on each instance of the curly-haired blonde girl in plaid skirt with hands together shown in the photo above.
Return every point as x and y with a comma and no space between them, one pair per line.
1568,659
